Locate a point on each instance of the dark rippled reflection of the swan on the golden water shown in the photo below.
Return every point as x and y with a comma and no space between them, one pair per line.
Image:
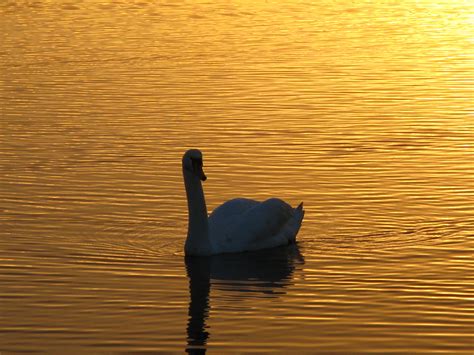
264,273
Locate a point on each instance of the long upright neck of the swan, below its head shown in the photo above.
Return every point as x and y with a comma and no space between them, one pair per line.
197,242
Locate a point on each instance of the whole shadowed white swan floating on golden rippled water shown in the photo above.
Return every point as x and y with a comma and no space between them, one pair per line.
239,224
